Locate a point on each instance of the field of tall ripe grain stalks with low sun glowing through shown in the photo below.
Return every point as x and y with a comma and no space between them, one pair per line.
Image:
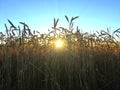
80,61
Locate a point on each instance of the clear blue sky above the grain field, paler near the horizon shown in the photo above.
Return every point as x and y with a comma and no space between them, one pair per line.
39,14
